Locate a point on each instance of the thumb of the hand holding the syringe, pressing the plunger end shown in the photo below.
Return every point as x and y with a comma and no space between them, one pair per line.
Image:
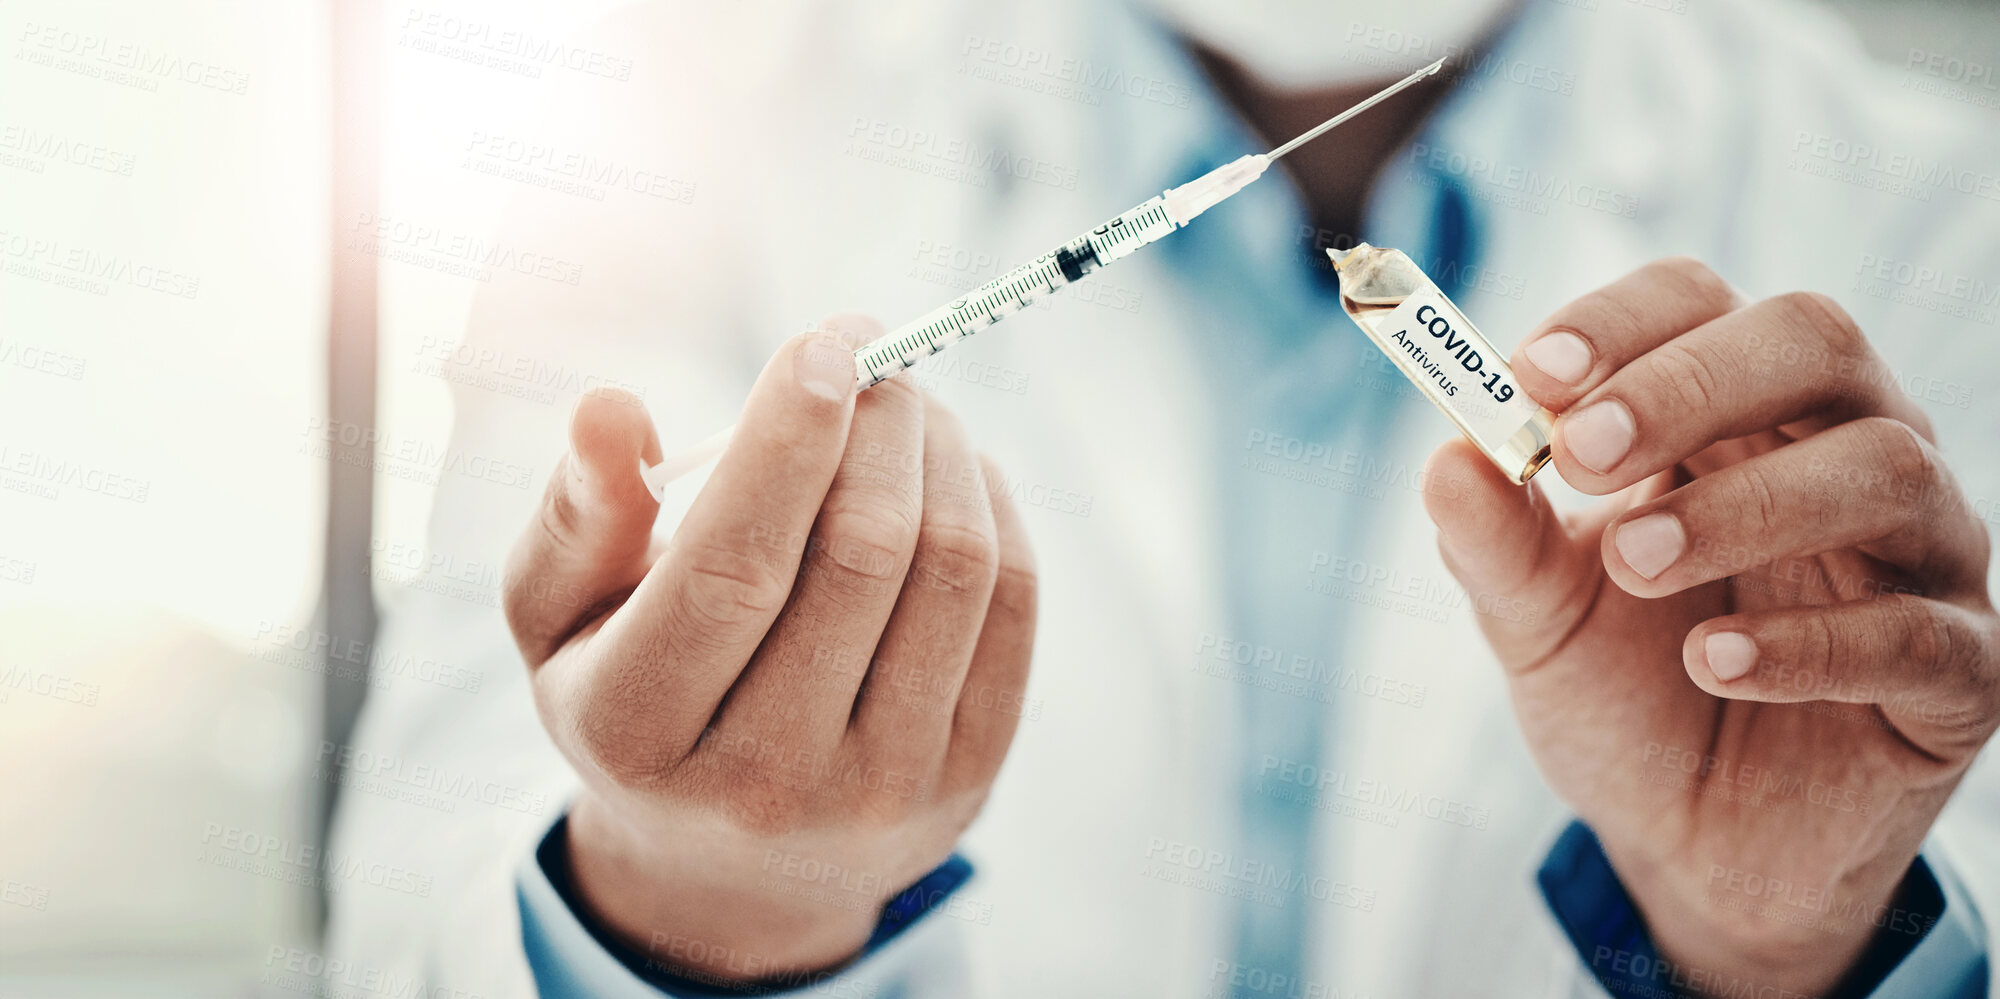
587,544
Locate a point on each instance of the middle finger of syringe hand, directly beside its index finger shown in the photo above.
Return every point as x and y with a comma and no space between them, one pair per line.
799,690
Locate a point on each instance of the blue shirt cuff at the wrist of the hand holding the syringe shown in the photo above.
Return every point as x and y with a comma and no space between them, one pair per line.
571,956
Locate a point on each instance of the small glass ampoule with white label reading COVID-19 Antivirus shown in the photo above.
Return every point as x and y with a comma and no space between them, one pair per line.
1439,349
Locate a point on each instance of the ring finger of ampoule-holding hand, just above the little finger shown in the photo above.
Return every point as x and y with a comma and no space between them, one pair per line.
1871,485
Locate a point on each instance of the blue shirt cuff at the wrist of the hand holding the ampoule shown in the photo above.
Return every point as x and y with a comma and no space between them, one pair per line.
1931,942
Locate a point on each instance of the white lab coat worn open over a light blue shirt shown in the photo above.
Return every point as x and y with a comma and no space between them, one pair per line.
1707,119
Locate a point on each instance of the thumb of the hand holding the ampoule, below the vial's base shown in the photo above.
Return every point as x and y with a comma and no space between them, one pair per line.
1529,576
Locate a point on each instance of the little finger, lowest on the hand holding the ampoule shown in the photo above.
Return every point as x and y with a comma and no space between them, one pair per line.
1919,660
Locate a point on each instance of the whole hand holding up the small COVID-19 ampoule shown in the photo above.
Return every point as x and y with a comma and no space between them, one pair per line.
1765,662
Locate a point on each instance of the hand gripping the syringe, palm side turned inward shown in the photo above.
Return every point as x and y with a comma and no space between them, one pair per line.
793,710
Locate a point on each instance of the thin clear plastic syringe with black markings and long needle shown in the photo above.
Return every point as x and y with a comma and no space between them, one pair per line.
1041,277
